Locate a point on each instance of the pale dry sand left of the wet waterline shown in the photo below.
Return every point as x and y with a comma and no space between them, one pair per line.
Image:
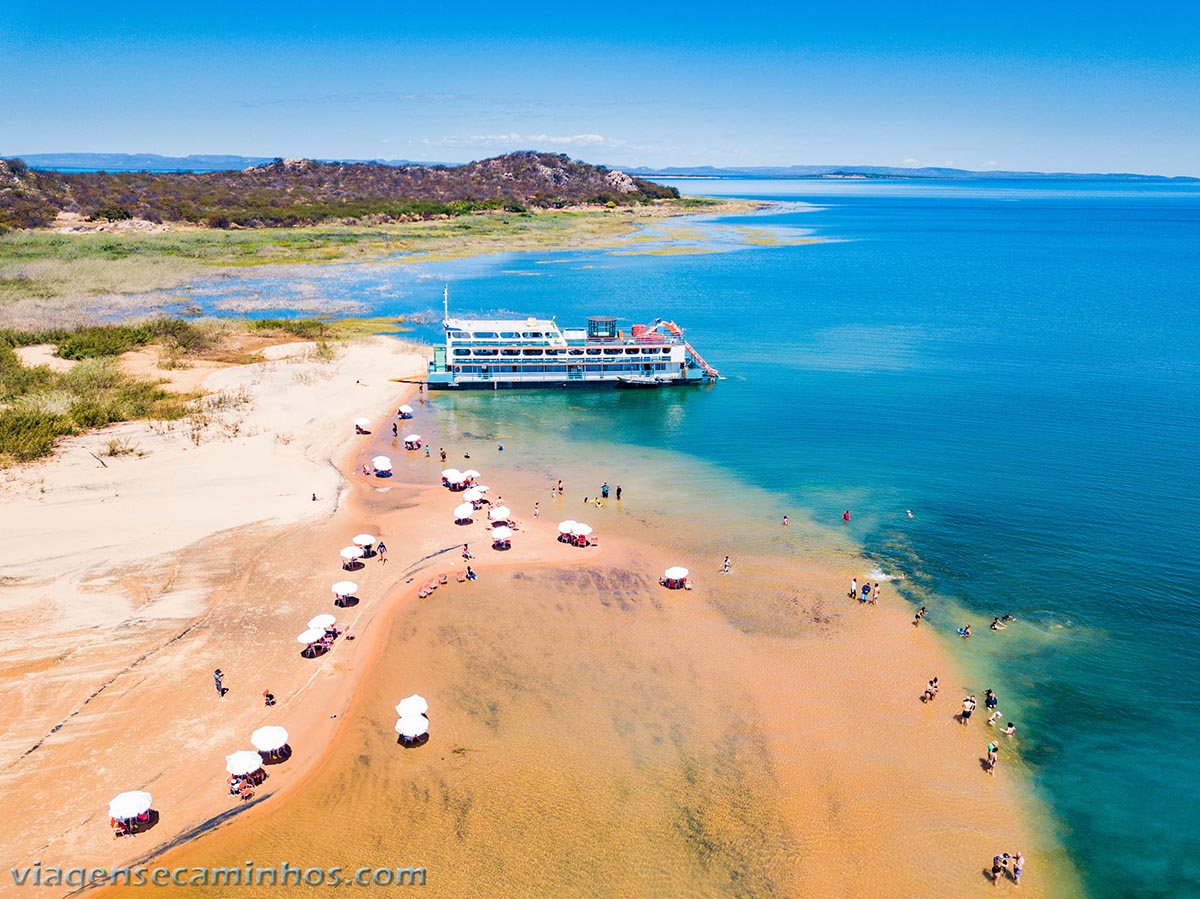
131,579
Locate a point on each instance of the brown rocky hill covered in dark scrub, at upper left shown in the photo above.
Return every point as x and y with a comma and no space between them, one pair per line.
291,193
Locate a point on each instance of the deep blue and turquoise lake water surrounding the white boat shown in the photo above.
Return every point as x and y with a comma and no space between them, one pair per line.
1016,364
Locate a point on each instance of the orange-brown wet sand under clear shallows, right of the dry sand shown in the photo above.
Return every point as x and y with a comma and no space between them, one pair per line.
593,734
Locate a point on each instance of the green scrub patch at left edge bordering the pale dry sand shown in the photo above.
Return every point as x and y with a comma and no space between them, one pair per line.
39,406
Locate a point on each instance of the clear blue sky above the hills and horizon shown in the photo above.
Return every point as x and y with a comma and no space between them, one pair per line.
1084,88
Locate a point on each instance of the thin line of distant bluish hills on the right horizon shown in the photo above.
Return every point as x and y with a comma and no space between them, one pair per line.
885,172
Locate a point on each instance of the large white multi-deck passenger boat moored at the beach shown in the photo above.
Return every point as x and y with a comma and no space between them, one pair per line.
532,352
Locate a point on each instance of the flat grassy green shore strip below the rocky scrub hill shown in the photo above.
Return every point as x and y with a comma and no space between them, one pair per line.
52,279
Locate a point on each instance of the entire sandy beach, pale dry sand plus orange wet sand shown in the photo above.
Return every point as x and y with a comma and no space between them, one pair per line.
592,734
